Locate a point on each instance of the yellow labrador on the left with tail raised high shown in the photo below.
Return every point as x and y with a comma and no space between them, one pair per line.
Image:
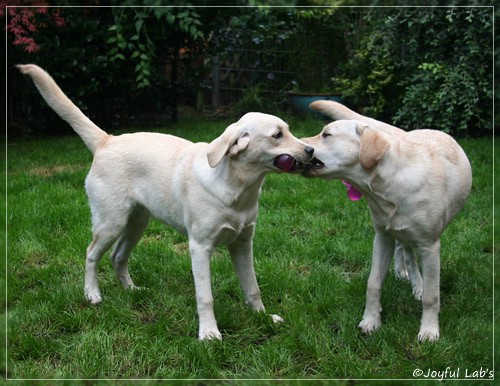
208,191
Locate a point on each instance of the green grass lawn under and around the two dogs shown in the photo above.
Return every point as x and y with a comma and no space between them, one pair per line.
312,257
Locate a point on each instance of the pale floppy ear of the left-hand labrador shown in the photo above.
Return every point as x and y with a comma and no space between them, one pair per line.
232,142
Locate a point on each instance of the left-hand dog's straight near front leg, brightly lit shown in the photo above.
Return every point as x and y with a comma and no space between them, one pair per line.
200,260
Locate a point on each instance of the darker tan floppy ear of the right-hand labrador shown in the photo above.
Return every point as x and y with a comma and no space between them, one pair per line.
373,146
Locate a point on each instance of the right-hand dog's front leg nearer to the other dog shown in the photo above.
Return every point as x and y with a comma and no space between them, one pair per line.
383,249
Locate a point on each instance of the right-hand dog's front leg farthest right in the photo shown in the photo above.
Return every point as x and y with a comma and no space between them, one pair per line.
429,325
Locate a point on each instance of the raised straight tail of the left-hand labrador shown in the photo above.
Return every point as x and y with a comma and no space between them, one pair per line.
91,135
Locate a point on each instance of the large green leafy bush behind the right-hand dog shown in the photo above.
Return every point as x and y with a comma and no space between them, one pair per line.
423,67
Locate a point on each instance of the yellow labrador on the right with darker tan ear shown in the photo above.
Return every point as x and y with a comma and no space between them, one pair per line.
414,182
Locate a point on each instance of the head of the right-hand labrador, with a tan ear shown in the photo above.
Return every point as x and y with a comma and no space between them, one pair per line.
344,148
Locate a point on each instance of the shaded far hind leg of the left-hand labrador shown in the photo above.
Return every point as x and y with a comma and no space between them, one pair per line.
130,236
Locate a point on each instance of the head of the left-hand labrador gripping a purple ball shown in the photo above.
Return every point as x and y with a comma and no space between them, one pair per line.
263,141
